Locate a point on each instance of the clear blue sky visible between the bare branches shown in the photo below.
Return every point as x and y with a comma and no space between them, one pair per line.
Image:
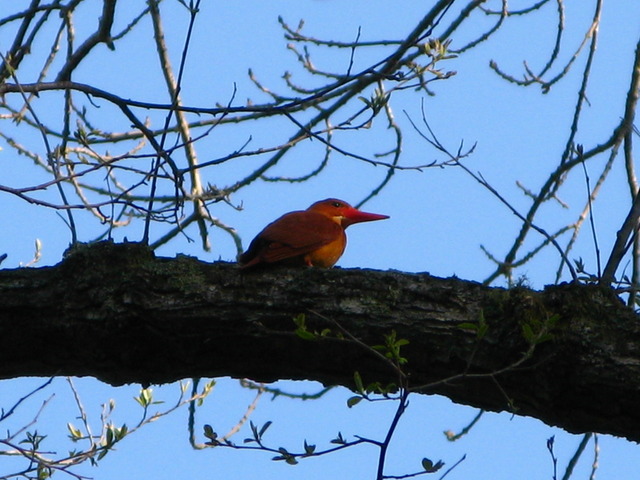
439,219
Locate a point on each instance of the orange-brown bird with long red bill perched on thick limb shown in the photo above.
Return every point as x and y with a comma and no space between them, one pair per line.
313,237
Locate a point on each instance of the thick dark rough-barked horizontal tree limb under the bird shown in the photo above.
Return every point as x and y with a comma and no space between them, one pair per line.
117,313
